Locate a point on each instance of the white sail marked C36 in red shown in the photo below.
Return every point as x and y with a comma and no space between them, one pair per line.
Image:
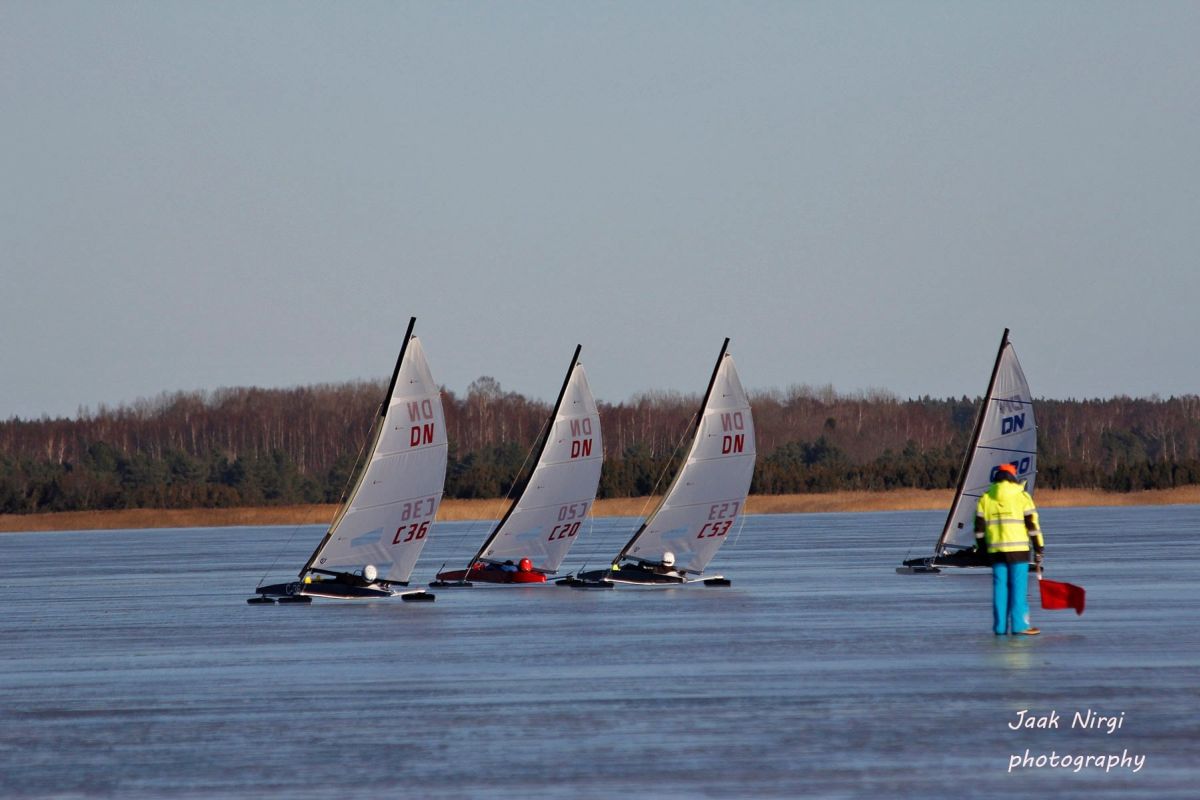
392,509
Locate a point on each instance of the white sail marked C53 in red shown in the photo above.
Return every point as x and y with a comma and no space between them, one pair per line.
710,492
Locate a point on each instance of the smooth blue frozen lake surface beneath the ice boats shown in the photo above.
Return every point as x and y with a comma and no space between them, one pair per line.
133,667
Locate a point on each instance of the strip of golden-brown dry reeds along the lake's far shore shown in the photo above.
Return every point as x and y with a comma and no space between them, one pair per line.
470,510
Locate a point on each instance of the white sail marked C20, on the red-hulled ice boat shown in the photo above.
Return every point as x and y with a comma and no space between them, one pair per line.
547,519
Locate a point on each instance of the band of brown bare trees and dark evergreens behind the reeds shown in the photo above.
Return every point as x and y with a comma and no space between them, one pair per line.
279,447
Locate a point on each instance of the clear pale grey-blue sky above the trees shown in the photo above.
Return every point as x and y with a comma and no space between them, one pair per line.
866,195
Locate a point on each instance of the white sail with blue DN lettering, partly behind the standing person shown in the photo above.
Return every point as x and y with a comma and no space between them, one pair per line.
1007,436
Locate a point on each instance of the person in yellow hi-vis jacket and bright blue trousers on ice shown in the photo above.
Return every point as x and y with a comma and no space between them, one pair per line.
1006,522
